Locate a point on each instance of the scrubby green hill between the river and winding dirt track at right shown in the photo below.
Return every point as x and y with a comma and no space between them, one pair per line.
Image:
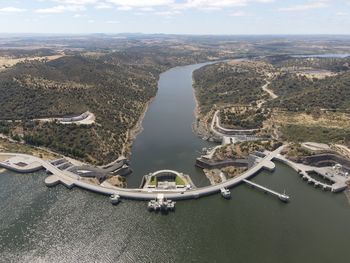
228,84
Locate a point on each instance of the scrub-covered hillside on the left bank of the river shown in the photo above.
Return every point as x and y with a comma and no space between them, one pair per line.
115,86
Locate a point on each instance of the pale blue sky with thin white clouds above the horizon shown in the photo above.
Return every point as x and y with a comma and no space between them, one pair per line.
176,16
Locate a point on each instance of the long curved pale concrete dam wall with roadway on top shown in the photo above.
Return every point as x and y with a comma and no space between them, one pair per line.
70,179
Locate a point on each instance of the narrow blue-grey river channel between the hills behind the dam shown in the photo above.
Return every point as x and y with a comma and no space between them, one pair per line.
167,141
